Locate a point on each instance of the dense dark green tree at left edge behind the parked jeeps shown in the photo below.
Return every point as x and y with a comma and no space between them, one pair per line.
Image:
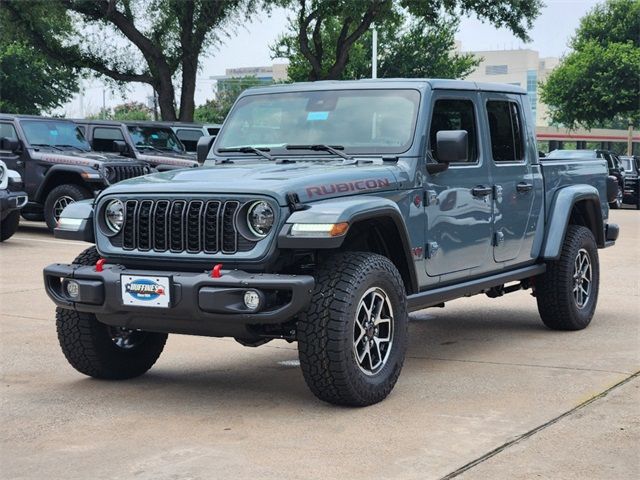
30,83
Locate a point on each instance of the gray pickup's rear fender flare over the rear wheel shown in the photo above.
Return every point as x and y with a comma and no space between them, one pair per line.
562,205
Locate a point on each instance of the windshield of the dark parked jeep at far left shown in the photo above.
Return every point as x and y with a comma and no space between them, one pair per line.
54,133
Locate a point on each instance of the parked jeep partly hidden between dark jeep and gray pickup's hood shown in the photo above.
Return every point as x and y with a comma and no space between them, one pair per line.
147,141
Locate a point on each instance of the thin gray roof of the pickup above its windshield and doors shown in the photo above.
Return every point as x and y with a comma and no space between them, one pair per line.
389,83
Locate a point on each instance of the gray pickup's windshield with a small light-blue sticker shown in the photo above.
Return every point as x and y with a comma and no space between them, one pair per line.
362,121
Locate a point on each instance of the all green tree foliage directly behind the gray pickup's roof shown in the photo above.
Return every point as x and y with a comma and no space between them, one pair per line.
327,38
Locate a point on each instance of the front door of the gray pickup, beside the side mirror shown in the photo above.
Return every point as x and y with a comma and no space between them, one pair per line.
457,201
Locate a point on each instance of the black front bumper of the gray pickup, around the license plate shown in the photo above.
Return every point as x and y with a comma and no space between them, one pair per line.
199,305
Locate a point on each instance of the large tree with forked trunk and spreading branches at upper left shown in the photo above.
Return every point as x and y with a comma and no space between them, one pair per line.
158,42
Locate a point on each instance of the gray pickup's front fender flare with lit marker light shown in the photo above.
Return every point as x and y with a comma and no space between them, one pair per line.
350,210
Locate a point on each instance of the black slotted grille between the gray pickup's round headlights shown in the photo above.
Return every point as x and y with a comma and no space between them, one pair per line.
192,226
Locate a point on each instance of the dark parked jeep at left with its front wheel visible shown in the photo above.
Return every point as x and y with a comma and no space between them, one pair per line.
57,164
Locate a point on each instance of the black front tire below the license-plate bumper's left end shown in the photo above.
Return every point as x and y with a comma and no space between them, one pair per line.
88,346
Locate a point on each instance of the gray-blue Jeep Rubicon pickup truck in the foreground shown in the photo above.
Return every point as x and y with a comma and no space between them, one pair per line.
324,214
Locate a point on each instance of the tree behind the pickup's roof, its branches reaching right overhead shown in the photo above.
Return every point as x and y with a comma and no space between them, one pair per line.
327,33
